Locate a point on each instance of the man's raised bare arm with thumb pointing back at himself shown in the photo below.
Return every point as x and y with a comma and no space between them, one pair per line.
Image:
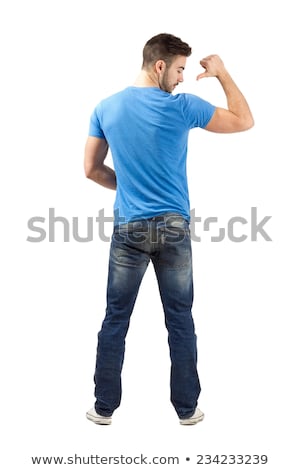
238,116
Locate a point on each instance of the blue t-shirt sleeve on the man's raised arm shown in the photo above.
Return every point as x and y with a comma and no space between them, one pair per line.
197,112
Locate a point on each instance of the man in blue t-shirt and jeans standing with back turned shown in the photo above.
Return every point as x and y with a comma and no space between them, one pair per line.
146,128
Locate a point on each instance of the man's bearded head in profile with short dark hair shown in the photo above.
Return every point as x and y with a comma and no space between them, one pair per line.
165,56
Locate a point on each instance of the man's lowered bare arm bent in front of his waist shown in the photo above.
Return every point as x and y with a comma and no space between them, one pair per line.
95,153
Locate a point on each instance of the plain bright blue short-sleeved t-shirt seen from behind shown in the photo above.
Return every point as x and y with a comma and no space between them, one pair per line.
147,132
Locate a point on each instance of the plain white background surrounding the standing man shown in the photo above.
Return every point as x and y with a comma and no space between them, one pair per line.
58,59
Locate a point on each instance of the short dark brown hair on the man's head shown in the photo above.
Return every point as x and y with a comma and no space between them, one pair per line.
164,47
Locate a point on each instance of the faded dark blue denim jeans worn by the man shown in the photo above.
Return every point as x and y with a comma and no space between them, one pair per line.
165,240
